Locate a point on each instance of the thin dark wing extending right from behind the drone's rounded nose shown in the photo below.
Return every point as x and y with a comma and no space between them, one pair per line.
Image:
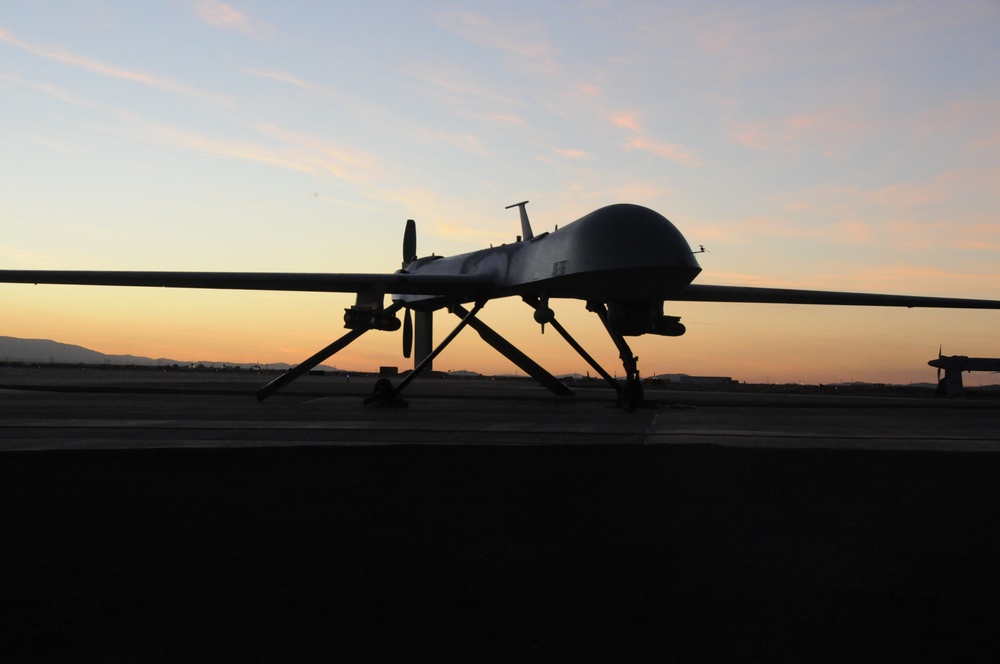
708,293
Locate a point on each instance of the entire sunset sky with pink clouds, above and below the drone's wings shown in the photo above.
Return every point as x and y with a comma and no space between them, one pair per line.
844,146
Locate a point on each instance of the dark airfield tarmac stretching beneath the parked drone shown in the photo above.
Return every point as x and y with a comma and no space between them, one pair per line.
161,516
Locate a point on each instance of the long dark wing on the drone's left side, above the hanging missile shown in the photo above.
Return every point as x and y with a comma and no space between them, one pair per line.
449,285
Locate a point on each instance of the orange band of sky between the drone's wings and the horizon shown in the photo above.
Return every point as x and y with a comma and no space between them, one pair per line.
750,343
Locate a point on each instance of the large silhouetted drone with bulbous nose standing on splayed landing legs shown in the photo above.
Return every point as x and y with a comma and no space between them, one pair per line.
623,260
